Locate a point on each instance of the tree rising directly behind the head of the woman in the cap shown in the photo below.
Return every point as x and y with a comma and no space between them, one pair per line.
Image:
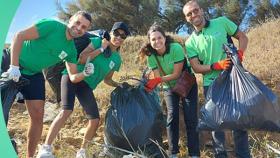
139,14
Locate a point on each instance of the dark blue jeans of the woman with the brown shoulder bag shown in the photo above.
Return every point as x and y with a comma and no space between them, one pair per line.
190,116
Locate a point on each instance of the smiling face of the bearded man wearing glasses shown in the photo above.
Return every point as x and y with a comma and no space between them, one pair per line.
194,14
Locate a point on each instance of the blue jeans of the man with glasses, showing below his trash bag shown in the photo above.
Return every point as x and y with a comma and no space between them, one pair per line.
240,141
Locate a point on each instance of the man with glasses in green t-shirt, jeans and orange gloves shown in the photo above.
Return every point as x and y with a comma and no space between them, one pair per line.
204,49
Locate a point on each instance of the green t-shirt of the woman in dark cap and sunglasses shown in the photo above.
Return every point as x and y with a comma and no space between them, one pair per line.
102,65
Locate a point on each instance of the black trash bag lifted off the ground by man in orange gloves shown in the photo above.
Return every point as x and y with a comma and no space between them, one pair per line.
238,100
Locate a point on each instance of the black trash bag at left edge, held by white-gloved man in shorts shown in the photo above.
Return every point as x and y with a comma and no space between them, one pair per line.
9,90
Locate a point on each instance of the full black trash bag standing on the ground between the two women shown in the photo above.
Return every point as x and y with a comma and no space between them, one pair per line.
134,118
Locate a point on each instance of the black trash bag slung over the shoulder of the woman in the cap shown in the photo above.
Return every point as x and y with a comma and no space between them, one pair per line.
53,73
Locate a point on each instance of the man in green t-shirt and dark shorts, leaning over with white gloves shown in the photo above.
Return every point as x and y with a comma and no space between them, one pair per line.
44,44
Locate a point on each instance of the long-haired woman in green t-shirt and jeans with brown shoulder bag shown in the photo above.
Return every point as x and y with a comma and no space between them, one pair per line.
166,59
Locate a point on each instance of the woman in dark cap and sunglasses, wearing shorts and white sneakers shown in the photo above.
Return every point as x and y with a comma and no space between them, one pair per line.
104,67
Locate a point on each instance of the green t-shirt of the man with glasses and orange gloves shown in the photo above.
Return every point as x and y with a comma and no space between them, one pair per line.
207,44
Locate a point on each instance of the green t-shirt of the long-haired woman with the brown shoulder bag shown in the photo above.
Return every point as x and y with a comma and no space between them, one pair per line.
175,55
